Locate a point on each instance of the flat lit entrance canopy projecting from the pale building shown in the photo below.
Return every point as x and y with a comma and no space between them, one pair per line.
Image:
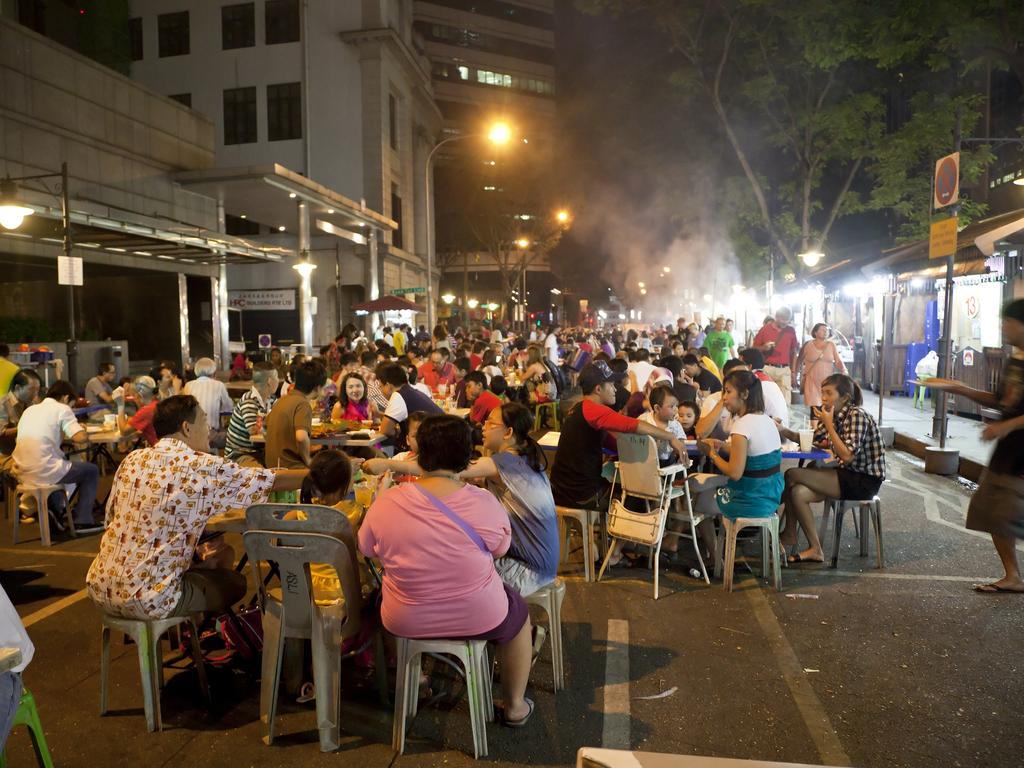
268,194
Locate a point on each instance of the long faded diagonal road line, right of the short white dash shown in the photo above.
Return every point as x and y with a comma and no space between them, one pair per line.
812,710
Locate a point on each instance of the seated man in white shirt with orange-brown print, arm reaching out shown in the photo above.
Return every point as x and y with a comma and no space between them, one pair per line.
159,505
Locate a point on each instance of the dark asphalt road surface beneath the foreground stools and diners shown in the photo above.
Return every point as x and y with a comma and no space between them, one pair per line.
901,667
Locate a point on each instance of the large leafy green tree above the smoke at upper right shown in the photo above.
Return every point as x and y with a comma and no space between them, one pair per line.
804,97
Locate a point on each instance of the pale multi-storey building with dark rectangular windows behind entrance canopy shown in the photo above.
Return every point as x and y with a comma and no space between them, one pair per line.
334,92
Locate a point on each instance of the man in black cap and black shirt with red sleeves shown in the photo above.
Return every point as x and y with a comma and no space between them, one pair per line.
576,476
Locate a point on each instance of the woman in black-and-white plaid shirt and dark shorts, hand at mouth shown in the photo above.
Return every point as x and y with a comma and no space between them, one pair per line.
852,437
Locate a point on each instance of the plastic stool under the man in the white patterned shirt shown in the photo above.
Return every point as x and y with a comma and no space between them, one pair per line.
147,634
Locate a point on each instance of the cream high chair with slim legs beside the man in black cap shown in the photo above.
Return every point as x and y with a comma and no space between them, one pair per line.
641,477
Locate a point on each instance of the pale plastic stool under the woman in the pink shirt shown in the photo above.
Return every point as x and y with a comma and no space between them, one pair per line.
477,668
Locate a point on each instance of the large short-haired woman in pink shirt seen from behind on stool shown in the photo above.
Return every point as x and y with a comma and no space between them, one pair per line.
438,540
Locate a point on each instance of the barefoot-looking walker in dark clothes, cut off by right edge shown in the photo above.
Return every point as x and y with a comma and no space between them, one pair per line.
998,505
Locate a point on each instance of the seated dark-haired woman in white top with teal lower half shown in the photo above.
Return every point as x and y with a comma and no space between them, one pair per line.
752,456
